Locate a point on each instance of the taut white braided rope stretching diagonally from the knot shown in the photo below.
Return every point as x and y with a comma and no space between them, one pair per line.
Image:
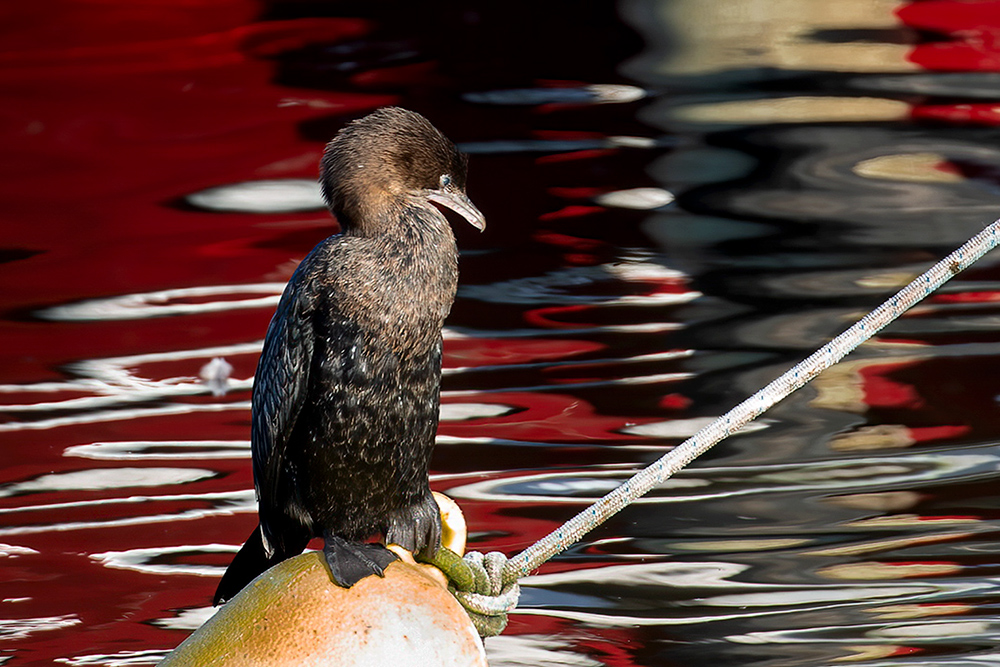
662,469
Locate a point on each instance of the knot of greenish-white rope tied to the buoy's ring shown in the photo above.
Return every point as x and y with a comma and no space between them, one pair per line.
479,585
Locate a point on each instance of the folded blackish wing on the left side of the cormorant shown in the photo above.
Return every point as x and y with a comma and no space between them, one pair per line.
279,391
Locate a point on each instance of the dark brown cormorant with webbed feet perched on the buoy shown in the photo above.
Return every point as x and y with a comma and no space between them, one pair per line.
346,395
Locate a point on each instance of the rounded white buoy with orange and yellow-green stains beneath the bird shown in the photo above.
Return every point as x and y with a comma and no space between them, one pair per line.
293,614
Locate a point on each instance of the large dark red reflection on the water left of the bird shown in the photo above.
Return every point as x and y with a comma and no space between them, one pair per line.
111,112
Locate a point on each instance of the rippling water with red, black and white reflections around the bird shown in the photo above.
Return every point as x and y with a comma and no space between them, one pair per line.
157,192
